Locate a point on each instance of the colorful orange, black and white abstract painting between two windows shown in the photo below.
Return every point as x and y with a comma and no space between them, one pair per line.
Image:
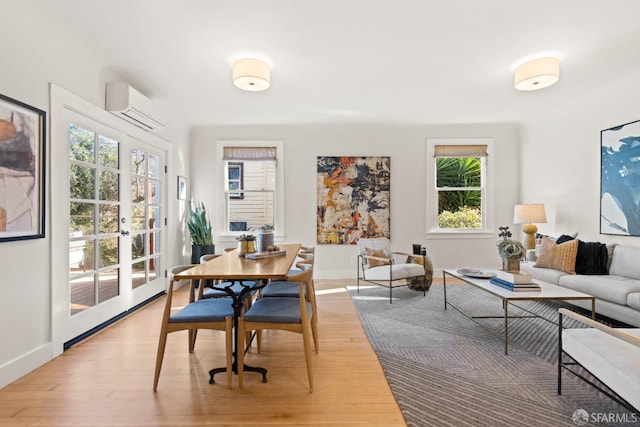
353,199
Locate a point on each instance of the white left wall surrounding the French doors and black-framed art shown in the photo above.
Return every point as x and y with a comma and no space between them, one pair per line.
31,60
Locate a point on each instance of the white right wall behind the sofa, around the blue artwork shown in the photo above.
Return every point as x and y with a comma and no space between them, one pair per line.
561,157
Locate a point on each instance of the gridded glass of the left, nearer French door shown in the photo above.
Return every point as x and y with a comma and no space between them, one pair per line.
94,212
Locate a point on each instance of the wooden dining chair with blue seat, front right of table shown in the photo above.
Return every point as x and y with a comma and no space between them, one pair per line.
287,314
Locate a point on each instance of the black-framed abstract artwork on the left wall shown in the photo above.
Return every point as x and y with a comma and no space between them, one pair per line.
22,170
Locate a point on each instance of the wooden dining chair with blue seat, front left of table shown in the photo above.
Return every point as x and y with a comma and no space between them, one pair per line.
215,314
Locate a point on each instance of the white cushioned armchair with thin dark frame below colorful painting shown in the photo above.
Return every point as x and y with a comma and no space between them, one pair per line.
376,265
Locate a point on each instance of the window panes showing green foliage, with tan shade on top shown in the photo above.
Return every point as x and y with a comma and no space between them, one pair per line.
460,186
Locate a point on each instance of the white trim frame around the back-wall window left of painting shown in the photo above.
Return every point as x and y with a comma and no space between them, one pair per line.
221,221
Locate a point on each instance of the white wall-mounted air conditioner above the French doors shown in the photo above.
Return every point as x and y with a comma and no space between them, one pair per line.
132,106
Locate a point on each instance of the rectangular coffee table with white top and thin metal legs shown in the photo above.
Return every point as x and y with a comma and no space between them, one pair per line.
548,292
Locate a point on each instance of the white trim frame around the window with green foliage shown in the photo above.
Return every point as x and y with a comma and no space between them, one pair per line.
488,200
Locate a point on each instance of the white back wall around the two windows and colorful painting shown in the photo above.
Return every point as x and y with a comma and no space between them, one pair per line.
407,147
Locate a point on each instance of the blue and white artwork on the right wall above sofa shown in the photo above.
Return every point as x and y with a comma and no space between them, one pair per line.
620,180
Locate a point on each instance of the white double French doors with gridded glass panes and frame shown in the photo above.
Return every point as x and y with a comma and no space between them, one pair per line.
116,209
